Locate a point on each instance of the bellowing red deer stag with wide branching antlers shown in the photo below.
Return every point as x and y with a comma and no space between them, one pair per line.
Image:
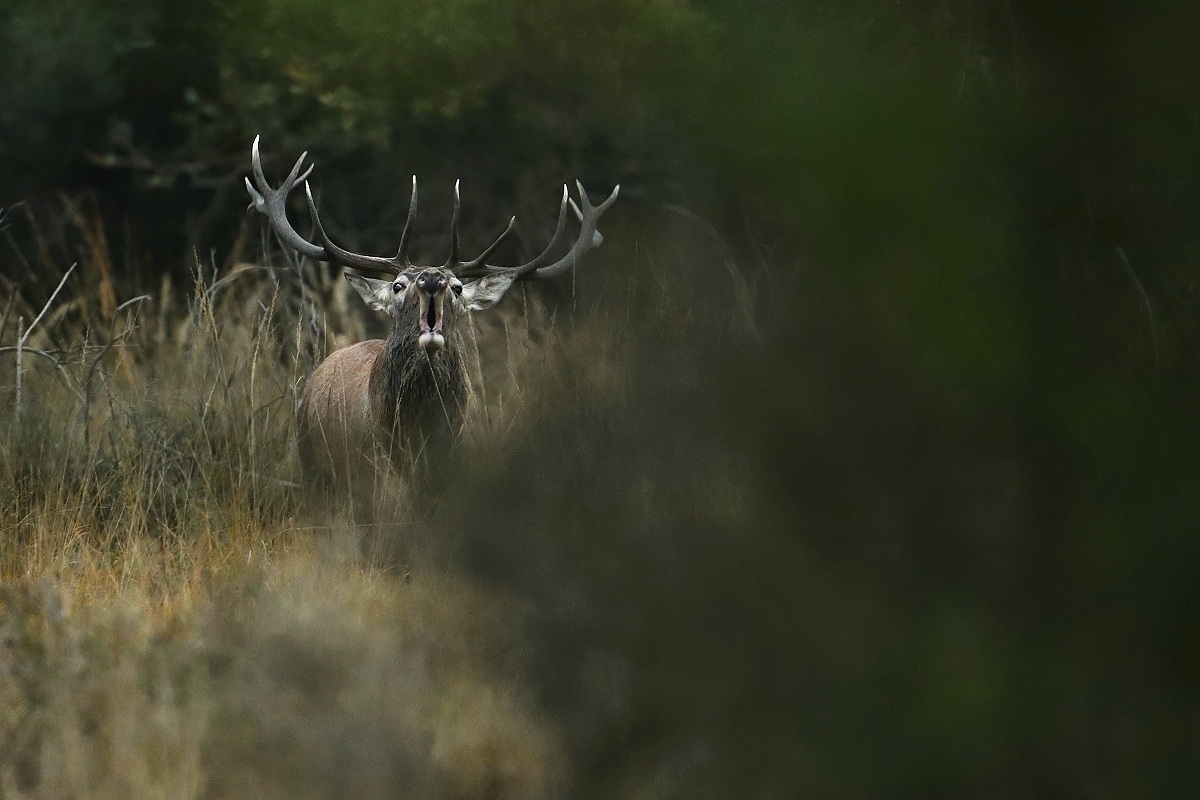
393,395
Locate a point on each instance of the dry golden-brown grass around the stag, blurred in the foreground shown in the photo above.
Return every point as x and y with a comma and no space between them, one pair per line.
173,623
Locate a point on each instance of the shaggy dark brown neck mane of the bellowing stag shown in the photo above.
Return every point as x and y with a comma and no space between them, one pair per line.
416,389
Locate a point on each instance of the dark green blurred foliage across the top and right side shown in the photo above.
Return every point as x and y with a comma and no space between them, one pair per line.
897,494
